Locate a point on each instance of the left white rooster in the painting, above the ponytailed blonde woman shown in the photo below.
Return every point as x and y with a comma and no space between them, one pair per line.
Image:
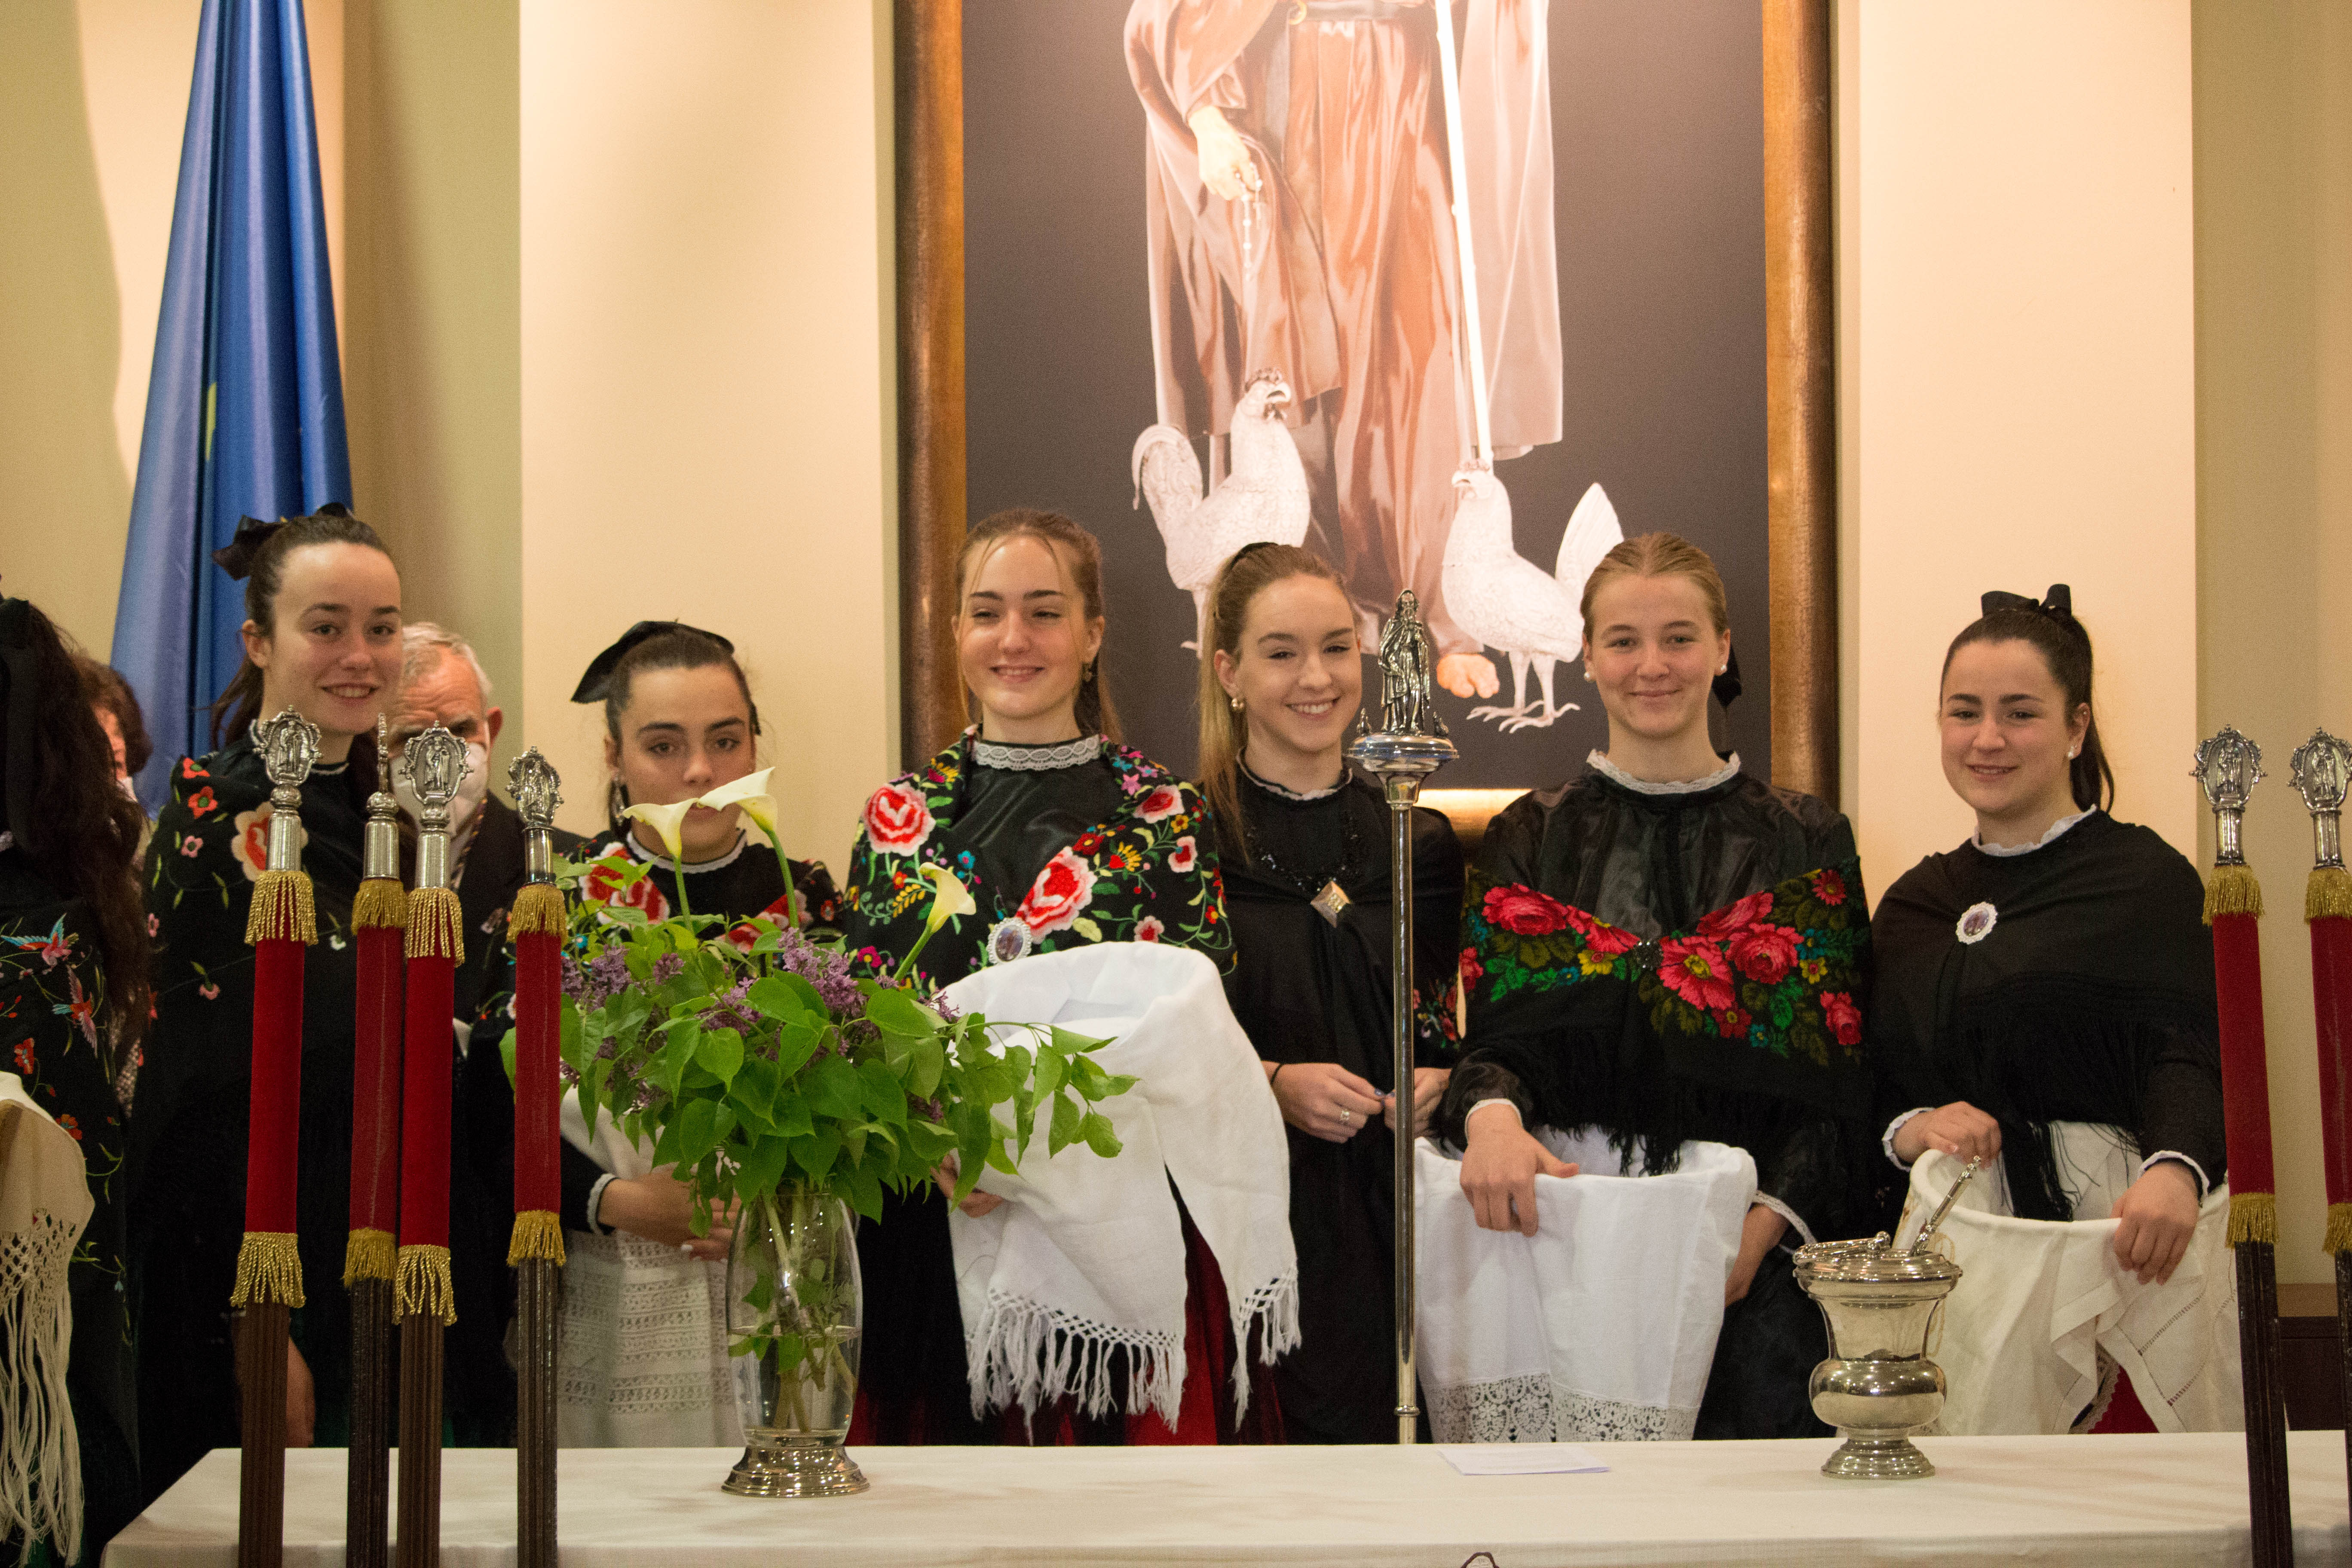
1264,495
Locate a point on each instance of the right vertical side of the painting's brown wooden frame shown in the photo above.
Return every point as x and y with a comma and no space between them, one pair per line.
1800,394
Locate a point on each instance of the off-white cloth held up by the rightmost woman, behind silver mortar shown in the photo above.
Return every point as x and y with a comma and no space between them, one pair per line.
2045,1315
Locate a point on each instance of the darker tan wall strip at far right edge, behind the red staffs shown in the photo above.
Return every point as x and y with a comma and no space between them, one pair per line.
2276,483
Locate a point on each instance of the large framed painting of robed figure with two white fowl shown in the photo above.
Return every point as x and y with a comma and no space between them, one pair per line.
1191,274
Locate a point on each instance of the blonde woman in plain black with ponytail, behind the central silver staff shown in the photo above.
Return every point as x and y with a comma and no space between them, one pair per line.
1307,857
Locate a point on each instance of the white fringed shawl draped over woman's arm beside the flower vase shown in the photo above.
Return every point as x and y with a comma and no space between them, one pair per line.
1083,1266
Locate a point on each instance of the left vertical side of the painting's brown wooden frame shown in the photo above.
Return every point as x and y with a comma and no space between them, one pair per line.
930,109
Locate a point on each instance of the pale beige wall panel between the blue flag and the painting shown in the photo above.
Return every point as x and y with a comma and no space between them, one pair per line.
707,370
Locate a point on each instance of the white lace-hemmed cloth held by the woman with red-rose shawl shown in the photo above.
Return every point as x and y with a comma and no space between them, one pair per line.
1603,1325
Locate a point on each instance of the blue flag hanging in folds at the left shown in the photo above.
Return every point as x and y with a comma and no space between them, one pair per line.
246,403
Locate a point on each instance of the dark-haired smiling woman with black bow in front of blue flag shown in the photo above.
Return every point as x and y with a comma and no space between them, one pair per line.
321,638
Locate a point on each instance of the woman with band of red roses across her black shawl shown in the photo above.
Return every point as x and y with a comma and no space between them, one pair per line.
1664,951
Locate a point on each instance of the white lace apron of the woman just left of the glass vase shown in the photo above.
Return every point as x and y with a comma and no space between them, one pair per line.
641,1346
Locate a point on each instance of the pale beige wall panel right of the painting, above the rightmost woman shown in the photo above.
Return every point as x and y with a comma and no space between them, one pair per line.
2019,396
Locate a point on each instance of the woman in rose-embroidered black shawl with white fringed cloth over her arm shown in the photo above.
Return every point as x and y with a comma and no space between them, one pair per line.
1064,838
